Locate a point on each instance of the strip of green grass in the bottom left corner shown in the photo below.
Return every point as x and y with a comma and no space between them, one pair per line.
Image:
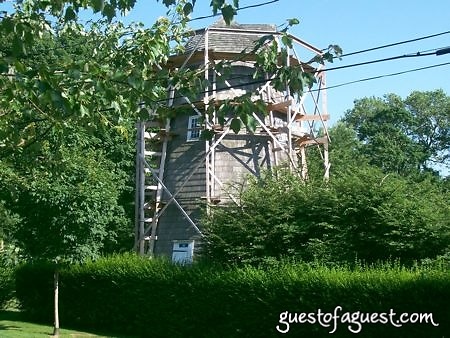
13,325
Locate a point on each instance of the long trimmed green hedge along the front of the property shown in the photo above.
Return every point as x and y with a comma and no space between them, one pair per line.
154,298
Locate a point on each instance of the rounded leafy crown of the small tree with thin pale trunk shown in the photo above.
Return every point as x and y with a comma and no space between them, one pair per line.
69,206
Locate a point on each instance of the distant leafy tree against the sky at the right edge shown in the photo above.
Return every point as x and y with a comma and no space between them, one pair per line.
403,136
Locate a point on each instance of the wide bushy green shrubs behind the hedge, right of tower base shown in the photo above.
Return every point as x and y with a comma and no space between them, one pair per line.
360,214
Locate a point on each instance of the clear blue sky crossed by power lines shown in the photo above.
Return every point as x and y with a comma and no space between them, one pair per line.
353,25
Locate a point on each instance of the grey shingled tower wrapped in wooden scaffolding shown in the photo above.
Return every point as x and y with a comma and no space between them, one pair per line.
177,173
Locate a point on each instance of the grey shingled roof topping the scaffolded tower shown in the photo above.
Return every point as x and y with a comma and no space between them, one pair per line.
229,39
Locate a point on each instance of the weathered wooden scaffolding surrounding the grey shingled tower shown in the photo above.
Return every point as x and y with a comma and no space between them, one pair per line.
290,125
